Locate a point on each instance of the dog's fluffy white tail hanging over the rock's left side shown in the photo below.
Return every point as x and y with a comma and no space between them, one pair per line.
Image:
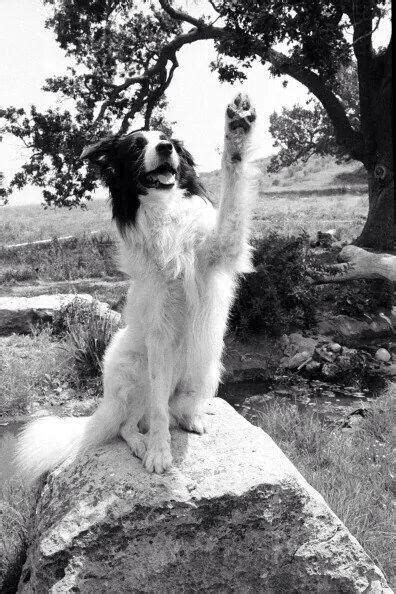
46,442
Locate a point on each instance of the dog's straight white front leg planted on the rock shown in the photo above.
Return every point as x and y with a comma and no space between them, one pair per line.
158,457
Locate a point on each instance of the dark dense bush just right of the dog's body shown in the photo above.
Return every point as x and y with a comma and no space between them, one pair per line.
278,297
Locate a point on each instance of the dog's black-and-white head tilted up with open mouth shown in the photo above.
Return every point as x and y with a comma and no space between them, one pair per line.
141,163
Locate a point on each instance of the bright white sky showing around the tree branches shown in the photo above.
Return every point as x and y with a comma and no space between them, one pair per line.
197,100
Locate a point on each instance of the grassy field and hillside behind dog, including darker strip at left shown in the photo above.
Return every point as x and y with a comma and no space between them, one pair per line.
289,207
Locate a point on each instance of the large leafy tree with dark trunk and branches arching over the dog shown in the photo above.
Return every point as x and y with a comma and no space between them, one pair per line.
126,55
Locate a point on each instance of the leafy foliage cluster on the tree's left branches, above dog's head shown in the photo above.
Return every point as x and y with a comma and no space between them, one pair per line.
108,42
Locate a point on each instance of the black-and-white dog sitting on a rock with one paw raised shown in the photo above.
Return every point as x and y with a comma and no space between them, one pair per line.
183,257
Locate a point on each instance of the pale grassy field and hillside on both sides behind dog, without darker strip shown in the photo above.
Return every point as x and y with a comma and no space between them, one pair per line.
289,201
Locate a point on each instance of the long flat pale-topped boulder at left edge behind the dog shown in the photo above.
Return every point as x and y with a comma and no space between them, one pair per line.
19,314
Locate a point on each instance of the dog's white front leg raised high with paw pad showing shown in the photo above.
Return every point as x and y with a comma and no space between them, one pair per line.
229,244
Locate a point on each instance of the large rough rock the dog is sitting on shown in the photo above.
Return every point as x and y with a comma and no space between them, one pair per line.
233,515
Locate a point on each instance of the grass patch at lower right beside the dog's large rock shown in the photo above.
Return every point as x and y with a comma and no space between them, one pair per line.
352,469
